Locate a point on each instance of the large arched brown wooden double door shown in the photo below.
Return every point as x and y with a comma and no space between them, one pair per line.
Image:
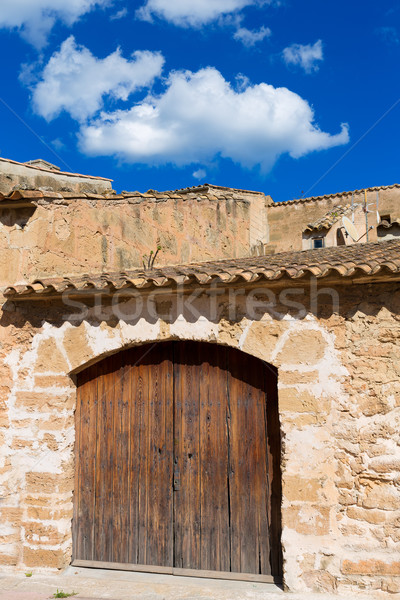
177,463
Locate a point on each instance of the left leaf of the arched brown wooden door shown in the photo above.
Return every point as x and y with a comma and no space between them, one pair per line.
123,497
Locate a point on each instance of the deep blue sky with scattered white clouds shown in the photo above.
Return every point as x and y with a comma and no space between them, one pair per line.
286,97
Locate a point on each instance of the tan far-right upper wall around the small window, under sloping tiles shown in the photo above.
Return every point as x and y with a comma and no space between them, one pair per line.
288,221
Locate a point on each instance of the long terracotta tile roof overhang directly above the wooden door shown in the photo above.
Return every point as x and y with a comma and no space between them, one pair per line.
359,263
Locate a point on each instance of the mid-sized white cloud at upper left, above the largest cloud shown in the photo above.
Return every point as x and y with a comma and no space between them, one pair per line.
76,81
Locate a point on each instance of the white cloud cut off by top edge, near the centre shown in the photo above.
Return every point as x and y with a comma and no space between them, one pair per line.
193,13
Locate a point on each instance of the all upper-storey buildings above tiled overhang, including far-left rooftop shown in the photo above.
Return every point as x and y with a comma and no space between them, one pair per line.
61,224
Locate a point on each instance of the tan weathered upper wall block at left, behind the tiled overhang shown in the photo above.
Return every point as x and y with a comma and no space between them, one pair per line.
84,236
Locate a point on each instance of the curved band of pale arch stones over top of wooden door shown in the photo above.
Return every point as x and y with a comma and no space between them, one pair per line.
275,341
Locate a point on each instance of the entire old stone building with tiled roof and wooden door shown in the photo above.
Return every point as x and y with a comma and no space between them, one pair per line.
232,409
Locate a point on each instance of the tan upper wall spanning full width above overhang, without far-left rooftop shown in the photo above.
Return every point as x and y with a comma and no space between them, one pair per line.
69,236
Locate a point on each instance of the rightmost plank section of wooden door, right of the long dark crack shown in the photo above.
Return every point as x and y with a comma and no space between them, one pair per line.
248,477
